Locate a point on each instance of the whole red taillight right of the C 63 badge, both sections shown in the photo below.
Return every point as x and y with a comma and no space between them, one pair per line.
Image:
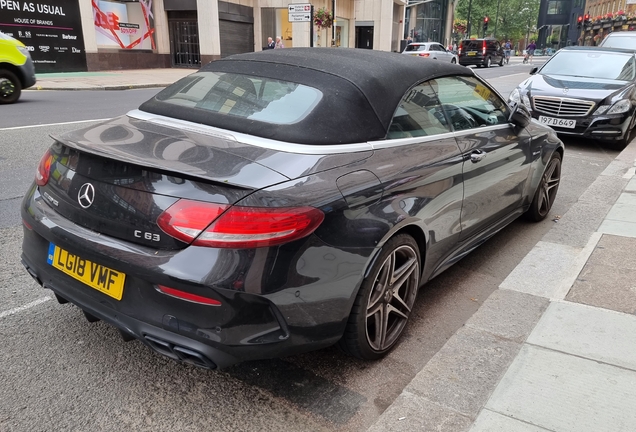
238,227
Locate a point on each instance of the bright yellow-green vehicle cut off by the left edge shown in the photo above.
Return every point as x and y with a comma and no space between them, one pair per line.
16,69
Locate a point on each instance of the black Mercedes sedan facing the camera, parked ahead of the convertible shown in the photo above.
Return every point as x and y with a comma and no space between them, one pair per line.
584,91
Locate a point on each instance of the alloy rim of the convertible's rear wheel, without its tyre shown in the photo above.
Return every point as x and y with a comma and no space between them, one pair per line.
391,298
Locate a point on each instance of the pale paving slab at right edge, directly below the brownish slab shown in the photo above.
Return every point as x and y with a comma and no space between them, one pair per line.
590,332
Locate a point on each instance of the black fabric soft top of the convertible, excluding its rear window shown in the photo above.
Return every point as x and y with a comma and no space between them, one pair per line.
361,90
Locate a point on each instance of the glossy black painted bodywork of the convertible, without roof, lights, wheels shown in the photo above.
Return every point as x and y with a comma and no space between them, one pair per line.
276,300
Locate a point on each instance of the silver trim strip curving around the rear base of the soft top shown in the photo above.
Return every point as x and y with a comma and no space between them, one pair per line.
249,139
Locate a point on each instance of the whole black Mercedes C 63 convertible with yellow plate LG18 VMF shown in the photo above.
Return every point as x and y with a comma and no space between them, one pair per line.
283,201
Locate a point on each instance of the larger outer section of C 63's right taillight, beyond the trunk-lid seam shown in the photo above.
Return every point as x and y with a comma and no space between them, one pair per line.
252,227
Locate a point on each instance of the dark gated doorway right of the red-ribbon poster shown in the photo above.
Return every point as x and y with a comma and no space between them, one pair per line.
184,43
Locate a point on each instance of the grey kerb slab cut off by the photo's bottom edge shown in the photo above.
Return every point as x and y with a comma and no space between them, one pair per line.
411,412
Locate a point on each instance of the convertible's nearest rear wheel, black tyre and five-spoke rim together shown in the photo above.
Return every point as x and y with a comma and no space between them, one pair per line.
385,300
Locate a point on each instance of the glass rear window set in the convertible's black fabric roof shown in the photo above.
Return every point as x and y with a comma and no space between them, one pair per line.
254,98
